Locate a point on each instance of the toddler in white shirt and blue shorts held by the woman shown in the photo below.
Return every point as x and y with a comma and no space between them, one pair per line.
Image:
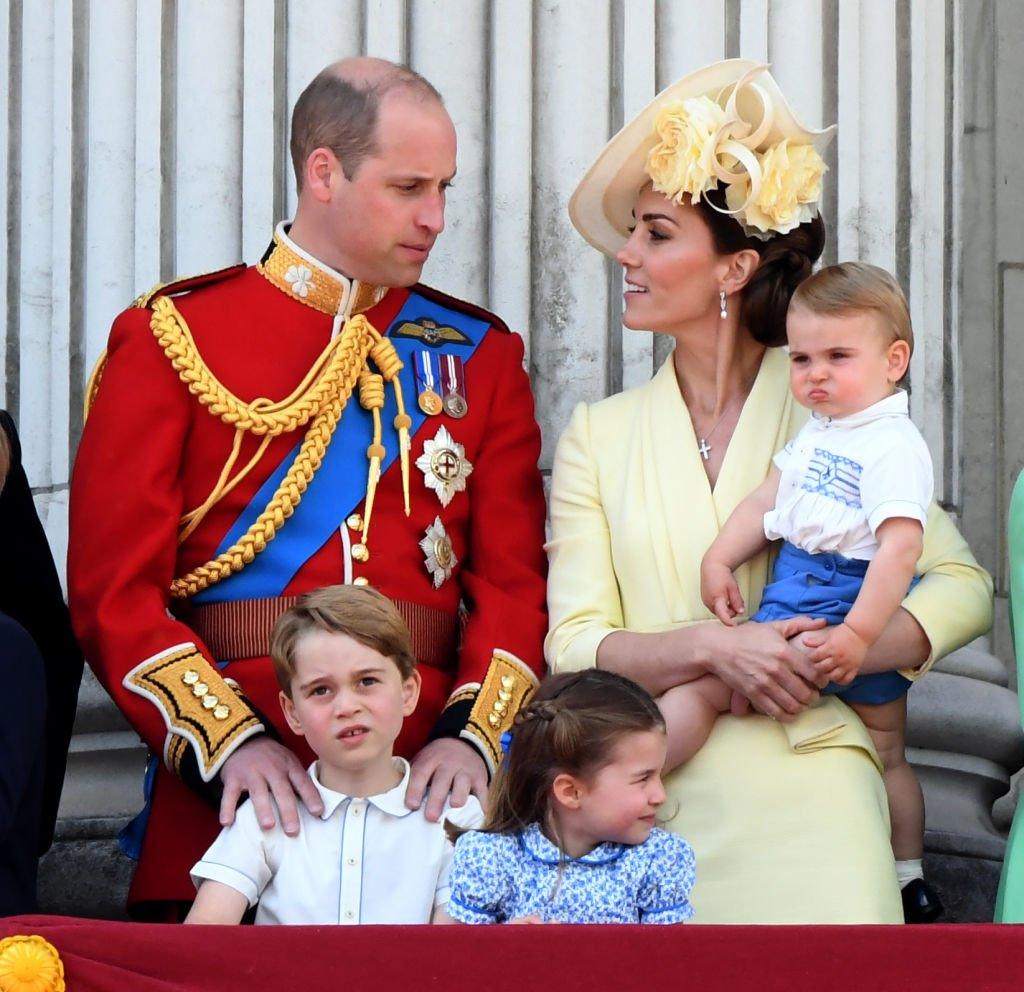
849,497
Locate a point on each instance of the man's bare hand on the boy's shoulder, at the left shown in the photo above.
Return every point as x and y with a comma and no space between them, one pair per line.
275,780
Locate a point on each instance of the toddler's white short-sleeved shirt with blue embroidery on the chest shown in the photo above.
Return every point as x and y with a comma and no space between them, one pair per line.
842,478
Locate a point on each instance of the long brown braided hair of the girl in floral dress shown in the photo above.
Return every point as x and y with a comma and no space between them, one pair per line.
571,725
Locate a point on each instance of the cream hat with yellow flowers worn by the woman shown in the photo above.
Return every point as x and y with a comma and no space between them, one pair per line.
728,122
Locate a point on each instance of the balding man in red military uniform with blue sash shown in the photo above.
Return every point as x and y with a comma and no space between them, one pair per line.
315,419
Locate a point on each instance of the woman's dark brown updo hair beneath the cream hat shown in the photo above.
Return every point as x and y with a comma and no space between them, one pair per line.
786,262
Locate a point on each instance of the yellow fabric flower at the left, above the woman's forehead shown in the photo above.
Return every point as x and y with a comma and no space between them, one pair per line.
682,162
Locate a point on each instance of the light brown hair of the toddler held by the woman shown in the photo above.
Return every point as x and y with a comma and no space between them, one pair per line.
856,288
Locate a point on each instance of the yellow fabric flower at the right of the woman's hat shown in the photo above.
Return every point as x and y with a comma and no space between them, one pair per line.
791,187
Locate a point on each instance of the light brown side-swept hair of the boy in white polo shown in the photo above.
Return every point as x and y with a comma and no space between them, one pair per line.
358,612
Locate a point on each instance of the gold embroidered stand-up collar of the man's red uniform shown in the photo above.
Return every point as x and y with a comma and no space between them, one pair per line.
298,275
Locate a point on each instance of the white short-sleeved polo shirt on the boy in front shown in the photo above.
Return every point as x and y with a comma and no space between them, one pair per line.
363,861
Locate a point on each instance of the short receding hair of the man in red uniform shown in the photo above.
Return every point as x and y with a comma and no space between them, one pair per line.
342,115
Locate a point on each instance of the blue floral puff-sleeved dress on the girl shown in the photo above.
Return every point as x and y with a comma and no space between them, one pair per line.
501,877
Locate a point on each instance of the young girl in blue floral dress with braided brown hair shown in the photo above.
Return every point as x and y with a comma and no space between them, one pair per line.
571,837
